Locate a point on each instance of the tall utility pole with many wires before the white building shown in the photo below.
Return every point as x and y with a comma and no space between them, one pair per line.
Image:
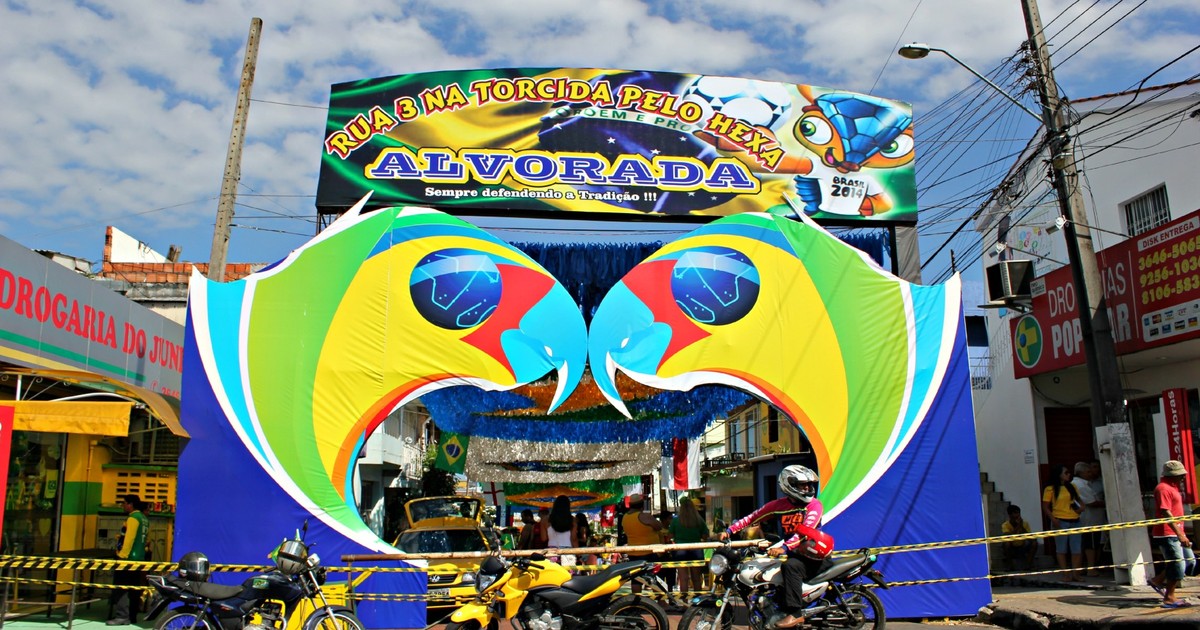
1114,440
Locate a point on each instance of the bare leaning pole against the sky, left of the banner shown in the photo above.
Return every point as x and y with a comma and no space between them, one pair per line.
233,158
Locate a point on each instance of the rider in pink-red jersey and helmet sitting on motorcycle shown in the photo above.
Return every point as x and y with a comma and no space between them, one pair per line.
800,520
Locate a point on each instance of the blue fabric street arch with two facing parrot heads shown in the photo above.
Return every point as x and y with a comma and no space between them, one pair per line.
292,369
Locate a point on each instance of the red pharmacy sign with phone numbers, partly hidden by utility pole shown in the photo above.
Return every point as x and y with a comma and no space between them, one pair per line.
1153,287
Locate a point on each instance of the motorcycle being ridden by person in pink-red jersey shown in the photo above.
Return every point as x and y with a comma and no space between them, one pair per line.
749,579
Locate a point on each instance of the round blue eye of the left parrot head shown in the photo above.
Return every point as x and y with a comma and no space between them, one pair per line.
457,289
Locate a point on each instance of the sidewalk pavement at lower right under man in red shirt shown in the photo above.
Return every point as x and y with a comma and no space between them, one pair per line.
1100,603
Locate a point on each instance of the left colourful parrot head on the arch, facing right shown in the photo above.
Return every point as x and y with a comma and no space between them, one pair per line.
309,357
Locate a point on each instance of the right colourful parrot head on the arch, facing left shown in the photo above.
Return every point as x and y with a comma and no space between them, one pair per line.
777,308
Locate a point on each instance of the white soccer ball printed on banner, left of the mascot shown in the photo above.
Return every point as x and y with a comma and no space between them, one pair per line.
758,103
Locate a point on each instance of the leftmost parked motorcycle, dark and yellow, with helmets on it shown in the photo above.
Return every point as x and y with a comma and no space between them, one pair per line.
291,596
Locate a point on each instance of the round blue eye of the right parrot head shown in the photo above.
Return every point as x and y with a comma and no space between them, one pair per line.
715,286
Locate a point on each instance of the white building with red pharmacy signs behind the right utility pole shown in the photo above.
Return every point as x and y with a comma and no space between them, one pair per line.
1136,153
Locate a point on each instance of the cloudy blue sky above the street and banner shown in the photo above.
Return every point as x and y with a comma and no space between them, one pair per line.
119,112
